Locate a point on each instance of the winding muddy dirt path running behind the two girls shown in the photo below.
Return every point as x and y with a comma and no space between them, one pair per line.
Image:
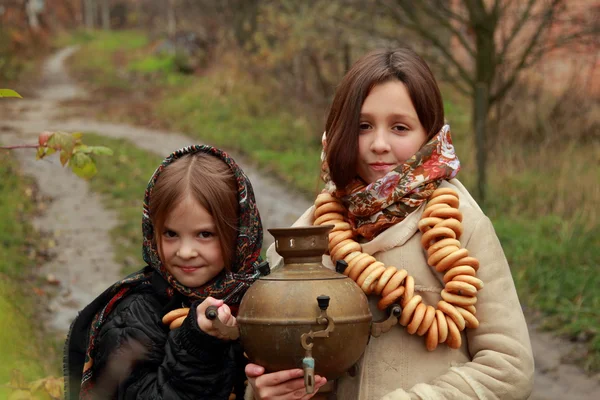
84,263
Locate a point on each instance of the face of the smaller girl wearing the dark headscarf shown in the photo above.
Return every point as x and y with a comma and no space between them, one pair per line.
191,249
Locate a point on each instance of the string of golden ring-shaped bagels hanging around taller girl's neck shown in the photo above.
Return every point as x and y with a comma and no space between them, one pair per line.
441,228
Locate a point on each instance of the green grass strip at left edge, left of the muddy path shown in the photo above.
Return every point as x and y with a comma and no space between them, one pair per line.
22,346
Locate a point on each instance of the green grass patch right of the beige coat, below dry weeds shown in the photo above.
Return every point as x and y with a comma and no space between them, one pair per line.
555,267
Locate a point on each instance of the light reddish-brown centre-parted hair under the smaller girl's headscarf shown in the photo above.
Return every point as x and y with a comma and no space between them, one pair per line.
212,184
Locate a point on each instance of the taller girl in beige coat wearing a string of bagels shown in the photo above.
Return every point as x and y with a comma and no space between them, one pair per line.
412,234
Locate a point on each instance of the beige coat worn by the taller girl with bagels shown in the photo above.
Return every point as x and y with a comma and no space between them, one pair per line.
495,360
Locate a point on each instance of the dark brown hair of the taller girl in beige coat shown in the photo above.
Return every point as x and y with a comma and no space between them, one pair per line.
377,67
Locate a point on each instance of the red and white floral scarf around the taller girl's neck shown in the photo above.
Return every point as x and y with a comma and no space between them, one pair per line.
374,207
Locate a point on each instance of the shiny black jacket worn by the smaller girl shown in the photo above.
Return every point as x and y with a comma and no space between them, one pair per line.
139,359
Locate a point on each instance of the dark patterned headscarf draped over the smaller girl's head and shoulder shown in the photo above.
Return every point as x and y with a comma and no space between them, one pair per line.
228,285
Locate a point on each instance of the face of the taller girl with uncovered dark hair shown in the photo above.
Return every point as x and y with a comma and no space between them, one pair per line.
390,131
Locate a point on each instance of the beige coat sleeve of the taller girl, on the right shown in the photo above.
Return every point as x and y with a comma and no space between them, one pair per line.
502,361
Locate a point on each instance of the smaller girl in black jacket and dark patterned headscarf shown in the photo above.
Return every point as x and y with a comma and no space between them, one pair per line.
202,240
